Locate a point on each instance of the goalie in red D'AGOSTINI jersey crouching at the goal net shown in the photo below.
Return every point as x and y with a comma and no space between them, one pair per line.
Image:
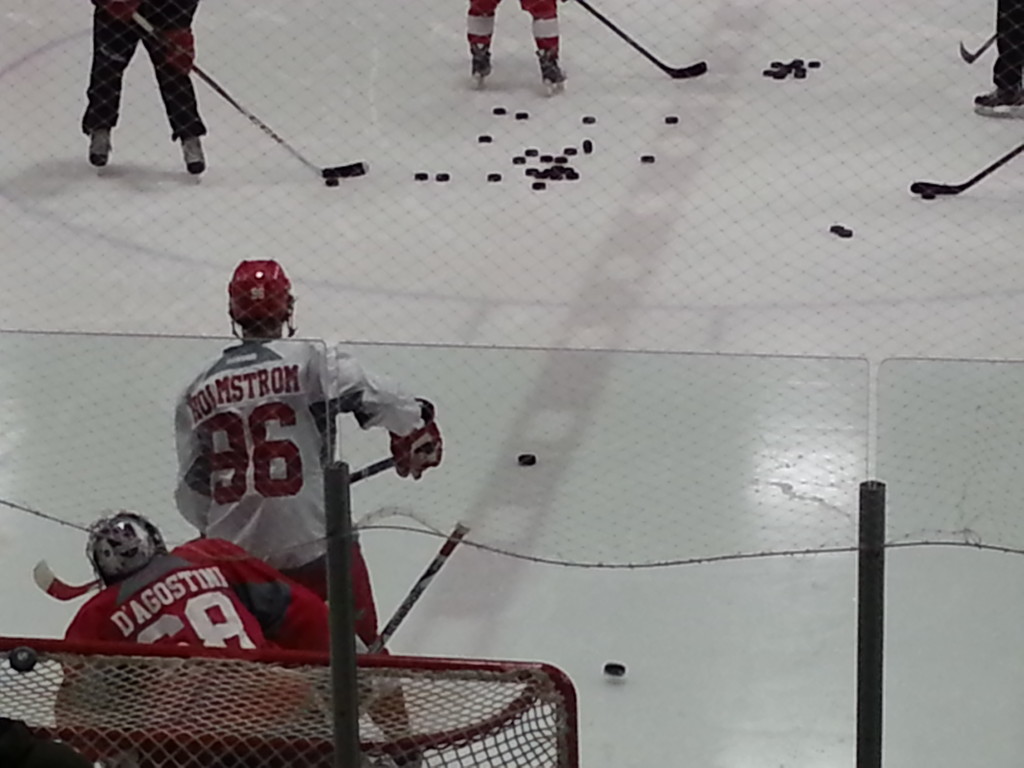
207,593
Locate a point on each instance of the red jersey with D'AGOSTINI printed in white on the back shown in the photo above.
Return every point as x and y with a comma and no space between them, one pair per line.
207,592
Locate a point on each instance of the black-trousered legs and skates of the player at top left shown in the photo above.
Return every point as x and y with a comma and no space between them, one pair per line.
115,37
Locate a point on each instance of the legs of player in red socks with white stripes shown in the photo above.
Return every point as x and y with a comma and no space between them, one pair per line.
481,28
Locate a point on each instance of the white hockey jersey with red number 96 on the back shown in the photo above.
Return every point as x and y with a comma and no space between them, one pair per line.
253,433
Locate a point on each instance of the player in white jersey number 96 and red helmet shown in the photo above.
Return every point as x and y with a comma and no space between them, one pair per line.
255,428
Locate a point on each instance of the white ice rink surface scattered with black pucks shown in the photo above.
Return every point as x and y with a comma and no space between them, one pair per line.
720,246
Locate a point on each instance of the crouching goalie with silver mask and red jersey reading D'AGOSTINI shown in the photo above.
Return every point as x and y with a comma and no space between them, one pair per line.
214,594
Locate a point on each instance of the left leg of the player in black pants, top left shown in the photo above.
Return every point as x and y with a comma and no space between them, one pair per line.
114,44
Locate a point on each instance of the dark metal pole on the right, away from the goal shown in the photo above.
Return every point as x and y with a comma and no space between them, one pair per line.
871,624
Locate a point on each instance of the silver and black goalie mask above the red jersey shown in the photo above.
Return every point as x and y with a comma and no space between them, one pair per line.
122,545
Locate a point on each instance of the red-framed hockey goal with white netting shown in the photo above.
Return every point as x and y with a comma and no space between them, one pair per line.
169,707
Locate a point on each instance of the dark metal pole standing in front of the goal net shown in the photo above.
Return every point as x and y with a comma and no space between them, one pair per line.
337,504
